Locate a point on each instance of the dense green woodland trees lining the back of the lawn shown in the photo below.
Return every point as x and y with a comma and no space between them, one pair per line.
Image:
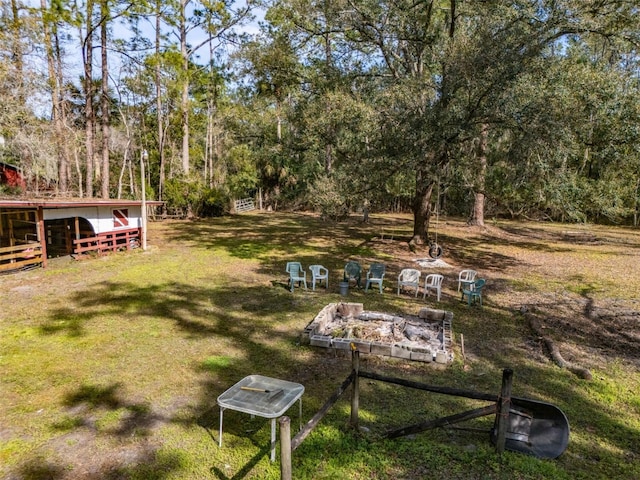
389,95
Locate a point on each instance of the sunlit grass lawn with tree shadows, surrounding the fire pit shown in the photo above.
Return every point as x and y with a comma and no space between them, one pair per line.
110,367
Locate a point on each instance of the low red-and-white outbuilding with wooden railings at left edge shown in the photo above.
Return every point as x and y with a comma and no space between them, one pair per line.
31,231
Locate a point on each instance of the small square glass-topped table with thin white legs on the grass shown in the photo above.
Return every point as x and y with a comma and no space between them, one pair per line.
262,396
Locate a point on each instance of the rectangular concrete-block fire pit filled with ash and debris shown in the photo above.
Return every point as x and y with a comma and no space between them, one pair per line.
424,337
